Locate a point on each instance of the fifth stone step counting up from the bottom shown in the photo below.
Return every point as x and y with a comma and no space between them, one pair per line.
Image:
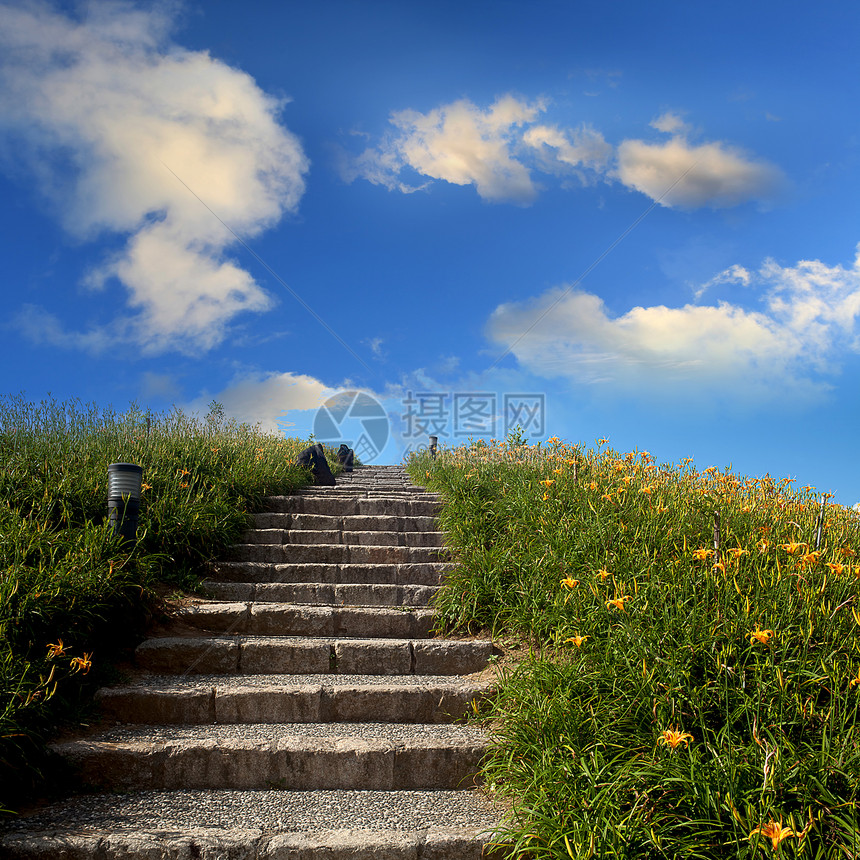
292,619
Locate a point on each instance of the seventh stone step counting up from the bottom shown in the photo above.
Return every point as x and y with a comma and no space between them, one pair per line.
409,573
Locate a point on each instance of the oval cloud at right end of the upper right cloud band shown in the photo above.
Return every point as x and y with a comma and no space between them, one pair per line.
689,176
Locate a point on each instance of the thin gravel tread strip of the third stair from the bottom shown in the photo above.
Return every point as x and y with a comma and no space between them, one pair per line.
228,681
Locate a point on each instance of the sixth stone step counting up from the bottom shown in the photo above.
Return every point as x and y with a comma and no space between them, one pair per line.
350,594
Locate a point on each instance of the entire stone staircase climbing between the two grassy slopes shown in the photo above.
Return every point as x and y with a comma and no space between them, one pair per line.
303,711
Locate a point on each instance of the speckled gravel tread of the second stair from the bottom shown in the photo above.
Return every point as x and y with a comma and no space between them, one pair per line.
393,733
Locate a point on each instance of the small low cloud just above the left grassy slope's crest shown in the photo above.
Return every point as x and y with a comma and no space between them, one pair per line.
266,398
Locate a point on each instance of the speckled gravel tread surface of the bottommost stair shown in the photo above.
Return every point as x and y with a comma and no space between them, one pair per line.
270,811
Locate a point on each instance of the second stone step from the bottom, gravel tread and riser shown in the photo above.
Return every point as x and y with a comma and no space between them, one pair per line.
373,756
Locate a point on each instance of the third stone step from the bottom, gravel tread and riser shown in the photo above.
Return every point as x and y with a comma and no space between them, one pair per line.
209,699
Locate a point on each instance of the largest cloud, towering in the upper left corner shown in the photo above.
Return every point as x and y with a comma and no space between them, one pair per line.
105,110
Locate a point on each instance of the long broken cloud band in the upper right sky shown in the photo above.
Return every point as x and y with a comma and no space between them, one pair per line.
498,150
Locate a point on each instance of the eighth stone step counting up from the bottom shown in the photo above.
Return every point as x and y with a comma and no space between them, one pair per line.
335,554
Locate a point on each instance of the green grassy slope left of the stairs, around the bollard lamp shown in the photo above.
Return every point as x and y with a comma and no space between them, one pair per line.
72,598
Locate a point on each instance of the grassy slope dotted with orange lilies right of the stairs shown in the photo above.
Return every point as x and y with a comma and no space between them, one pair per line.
605,564
